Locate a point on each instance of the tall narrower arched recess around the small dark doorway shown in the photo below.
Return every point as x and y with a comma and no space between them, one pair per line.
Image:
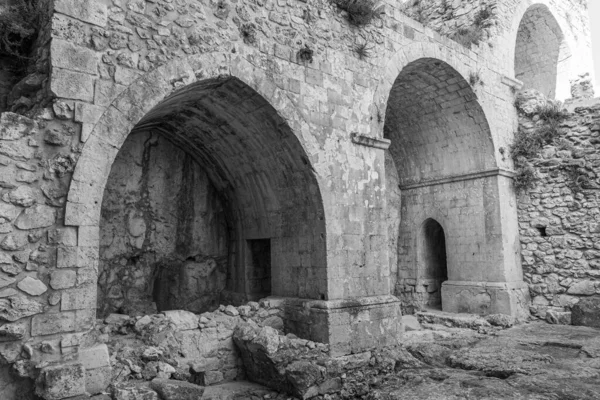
443,150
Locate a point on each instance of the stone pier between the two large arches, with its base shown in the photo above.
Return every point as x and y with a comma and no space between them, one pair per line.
359,312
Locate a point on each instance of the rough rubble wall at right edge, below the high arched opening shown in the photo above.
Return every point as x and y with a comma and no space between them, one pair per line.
559,217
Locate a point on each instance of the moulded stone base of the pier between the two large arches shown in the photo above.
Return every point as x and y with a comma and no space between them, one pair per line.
348,326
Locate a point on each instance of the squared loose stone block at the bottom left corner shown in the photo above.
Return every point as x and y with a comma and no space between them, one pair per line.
60,382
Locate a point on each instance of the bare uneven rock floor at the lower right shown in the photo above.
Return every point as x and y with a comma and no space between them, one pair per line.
531,361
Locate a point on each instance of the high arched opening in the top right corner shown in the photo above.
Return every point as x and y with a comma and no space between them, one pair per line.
542,58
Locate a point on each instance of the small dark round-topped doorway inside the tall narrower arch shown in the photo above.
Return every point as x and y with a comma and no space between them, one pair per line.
432,261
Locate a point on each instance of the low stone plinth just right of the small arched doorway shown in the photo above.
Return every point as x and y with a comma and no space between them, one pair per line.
484,298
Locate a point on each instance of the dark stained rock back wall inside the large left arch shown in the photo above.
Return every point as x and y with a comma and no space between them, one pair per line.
163,233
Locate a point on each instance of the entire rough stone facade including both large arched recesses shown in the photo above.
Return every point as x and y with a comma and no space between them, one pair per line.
244,145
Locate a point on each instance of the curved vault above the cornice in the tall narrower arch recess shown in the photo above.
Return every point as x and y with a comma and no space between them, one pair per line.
437,127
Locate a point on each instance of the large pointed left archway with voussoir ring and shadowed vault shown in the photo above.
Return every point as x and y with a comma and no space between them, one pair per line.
253,159
